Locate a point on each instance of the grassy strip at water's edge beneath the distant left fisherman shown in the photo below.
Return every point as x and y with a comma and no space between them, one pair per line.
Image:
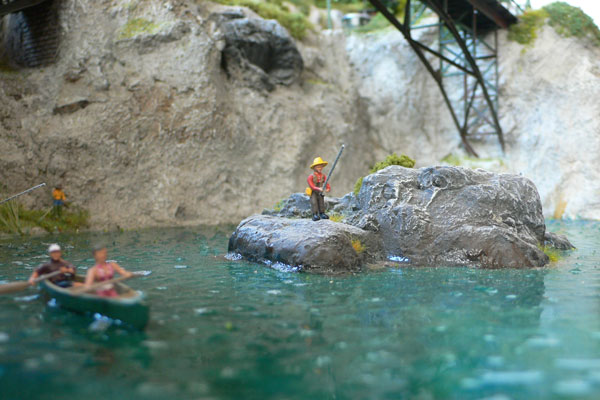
14,218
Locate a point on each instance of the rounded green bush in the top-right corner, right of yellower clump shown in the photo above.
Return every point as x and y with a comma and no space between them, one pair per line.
572,21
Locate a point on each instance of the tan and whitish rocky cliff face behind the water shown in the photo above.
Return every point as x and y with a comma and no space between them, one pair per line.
144,125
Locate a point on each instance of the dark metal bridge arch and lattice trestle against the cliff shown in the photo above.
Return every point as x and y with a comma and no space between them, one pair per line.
464,61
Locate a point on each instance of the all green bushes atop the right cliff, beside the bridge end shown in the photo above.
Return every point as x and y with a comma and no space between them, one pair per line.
565,19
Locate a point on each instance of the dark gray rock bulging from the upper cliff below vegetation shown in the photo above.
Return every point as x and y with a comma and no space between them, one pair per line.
259,52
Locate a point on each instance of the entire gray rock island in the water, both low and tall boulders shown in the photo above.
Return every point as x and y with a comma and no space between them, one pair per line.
437,216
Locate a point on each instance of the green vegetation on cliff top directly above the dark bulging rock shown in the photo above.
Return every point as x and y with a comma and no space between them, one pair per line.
296,23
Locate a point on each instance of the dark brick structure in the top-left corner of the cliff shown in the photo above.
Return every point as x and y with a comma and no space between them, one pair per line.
29,32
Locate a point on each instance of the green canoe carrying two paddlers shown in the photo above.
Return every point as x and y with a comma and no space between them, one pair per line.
128,307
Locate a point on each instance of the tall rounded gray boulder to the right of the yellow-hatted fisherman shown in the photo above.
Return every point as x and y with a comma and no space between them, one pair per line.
454,216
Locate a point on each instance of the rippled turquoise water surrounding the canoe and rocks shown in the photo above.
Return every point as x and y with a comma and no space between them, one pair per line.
235,330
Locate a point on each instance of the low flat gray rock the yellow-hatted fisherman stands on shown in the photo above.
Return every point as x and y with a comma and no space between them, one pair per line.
323,246
